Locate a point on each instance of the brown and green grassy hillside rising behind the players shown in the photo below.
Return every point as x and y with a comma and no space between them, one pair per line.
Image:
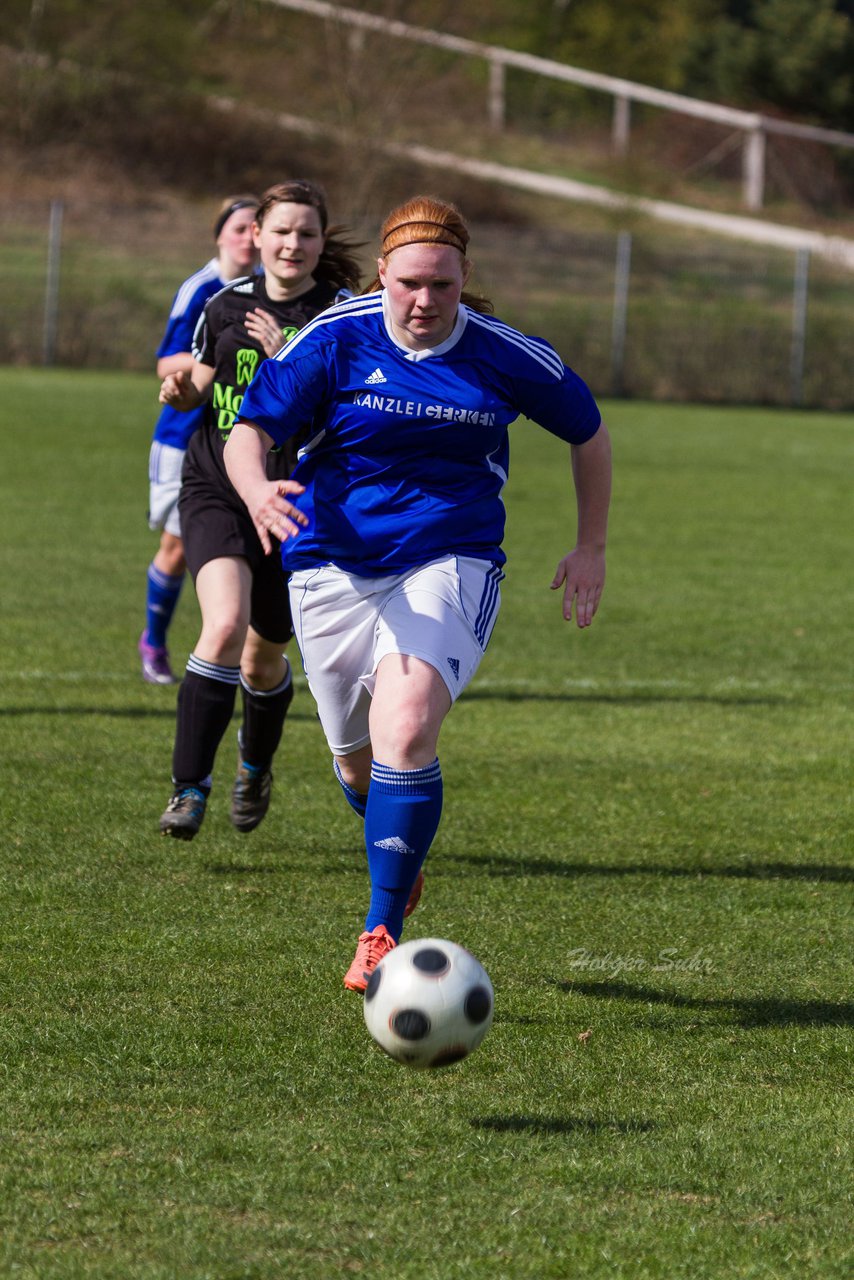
709,319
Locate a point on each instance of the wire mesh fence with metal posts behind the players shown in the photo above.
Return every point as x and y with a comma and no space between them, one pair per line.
640,313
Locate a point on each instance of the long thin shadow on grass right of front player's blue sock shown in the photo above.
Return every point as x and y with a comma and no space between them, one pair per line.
572,871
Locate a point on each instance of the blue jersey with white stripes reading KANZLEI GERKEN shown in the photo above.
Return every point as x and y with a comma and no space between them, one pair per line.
408,451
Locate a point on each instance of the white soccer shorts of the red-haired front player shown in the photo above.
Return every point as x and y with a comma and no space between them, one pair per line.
444,614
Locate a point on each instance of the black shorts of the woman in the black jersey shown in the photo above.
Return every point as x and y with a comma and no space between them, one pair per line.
213,527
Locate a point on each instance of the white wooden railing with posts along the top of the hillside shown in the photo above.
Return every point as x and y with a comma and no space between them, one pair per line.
752,125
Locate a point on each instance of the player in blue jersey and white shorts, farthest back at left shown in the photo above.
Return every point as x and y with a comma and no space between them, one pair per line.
236,255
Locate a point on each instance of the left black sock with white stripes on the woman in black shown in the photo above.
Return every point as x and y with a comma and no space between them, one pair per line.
205,710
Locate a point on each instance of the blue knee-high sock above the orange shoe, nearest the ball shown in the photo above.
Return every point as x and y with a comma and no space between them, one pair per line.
401,820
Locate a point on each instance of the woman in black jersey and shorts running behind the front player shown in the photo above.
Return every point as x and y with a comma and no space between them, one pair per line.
243,592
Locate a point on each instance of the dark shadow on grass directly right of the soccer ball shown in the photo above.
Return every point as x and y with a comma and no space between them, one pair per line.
755,1012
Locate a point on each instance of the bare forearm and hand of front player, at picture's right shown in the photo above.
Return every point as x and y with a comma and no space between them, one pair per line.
582,572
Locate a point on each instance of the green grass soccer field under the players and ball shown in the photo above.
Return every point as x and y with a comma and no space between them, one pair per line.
647,842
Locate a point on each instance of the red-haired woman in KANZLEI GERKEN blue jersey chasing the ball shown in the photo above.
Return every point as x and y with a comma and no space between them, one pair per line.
392,524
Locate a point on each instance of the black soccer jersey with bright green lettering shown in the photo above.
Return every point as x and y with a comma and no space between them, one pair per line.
223,342
